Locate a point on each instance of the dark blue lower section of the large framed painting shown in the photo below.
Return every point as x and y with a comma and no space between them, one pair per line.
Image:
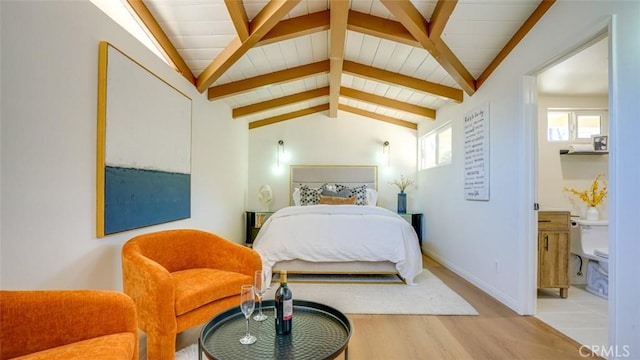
136,198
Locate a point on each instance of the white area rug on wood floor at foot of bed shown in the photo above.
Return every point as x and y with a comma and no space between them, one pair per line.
430,296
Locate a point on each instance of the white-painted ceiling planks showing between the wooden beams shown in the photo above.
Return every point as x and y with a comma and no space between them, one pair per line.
475,32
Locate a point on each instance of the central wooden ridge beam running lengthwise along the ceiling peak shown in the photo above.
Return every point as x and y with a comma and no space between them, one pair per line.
338,32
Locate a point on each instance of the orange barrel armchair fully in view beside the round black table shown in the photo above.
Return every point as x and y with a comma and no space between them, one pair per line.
182,278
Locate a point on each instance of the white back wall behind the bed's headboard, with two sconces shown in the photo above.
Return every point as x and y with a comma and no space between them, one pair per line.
317,139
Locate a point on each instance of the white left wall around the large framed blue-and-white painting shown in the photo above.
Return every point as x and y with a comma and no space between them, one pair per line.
49,118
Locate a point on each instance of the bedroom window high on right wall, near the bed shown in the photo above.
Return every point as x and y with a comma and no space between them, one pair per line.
435,148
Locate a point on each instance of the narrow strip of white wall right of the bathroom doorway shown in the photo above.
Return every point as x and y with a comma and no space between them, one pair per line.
624,173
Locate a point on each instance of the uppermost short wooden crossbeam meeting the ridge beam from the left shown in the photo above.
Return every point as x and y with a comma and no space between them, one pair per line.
297,26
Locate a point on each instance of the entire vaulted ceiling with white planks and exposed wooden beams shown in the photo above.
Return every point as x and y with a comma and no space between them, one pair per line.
397,61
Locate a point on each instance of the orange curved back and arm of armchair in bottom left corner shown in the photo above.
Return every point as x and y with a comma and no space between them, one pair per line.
32,321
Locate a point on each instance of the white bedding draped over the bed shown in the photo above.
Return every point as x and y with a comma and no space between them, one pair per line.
329,233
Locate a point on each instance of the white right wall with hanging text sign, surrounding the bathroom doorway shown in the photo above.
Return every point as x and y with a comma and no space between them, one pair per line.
470,237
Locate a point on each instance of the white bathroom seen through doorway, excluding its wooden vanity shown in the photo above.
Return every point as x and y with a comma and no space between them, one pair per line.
572,117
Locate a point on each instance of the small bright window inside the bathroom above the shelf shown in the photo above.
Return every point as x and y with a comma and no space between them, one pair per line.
575,125
